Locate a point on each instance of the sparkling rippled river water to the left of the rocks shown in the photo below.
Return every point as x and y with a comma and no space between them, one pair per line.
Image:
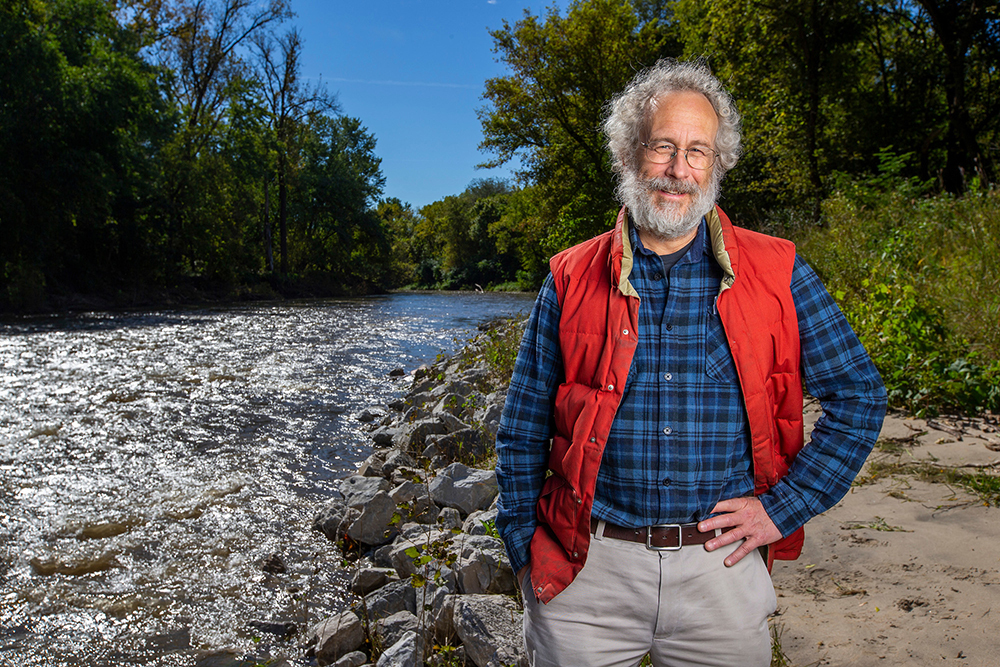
150,463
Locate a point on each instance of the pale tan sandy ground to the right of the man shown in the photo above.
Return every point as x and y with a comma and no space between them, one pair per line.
902,571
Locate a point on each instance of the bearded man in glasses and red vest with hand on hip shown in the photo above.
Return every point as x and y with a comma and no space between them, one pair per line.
650,454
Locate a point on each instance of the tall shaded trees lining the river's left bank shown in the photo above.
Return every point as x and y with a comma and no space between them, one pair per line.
155,143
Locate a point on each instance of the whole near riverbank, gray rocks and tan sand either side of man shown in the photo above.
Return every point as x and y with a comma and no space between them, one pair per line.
905,570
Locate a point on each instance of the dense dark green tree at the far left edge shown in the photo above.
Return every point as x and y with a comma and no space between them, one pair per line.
81,116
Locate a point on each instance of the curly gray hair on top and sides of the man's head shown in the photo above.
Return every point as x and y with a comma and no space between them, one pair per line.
628,115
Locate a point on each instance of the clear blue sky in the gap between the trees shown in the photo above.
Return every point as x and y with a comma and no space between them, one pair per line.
413,72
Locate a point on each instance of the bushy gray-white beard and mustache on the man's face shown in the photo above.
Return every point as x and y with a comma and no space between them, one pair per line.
666,219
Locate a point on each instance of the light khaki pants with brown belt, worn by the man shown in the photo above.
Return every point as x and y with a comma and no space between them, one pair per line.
682,607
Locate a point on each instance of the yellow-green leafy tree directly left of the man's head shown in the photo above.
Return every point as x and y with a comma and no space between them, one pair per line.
547,112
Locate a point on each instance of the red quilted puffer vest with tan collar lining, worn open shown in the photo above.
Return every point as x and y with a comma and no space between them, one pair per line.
597,335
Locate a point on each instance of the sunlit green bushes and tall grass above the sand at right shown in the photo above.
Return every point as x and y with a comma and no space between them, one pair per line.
900,271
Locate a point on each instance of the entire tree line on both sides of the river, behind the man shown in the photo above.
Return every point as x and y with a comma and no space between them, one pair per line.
153,142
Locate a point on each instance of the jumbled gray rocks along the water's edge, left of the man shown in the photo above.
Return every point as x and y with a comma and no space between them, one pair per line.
432,580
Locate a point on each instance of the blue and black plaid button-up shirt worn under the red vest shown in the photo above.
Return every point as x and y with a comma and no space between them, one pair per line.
680,439
